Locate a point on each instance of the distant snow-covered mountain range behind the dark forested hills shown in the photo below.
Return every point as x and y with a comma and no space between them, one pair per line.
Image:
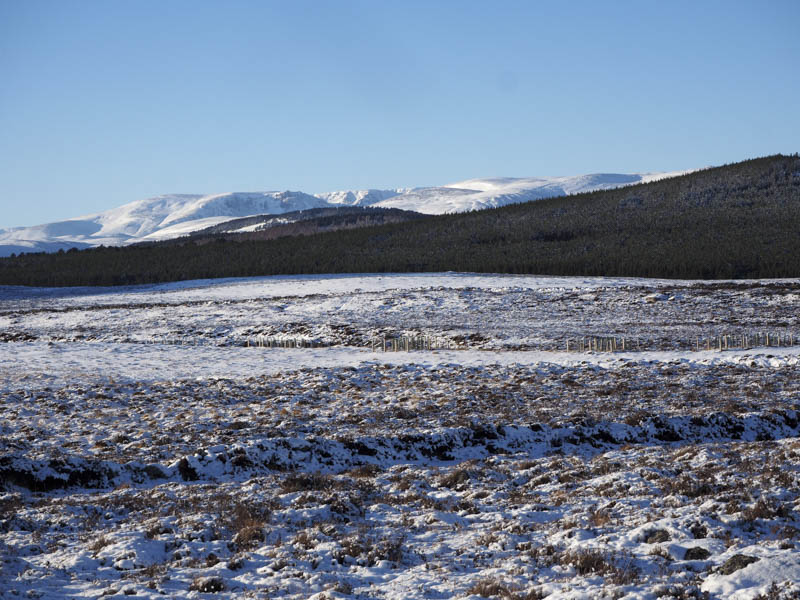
174,215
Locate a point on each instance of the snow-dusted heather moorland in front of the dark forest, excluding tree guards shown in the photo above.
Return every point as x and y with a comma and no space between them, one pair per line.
150,447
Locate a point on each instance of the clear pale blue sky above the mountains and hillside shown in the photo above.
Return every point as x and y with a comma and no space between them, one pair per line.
103,103
